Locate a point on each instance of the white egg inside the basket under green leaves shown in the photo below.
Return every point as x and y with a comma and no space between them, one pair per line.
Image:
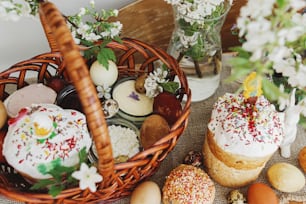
103,76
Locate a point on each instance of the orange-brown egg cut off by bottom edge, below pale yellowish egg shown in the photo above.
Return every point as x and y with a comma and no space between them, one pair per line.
260,193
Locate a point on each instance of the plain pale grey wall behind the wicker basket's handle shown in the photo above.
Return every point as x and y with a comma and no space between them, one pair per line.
25,38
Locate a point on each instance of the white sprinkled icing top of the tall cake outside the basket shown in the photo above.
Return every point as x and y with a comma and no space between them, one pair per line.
234,132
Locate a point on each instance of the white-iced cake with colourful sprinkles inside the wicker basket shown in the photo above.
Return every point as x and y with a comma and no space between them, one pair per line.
42,133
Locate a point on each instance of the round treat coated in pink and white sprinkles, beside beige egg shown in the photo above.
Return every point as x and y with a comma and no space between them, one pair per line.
188,184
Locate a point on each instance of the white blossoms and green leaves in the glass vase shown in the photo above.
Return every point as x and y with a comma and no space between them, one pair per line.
196,19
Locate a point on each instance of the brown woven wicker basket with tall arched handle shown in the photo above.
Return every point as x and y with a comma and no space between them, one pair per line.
65,60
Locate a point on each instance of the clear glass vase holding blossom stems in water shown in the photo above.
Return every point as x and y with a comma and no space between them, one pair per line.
196,44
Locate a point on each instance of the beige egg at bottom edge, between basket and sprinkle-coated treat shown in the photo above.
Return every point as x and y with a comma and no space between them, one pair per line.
147,192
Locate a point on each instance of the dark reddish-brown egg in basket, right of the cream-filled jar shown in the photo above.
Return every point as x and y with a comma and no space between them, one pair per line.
168,106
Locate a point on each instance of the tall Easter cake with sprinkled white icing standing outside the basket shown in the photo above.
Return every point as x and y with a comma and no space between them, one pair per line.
241,138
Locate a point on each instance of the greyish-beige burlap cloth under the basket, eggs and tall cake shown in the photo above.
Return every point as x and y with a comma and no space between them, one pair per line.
193,138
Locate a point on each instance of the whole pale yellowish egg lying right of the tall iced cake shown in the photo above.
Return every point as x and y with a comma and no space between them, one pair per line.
285,177
